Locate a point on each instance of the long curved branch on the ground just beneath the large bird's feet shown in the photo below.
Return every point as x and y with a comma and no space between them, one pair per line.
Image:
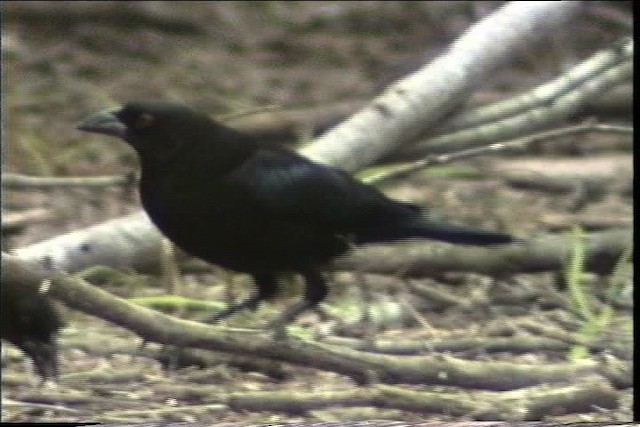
157,327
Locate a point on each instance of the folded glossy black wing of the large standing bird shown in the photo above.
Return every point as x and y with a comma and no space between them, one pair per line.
285,184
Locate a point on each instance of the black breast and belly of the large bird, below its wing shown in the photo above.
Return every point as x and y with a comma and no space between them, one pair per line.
230,232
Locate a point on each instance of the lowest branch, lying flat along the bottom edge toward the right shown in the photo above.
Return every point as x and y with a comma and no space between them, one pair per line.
520,405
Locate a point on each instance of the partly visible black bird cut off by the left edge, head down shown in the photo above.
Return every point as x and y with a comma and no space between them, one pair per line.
30,321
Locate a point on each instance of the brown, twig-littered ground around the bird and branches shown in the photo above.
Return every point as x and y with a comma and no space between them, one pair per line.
63,60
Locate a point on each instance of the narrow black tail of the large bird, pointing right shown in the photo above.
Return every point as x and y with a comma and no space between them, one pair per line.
421,229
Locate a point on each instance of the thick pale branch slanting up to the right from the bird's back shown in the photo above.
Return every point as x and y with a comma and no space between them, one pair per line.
412,105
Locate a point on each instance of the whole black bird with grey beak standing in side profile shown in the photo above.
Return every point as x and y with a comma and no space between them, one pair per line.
222,196
